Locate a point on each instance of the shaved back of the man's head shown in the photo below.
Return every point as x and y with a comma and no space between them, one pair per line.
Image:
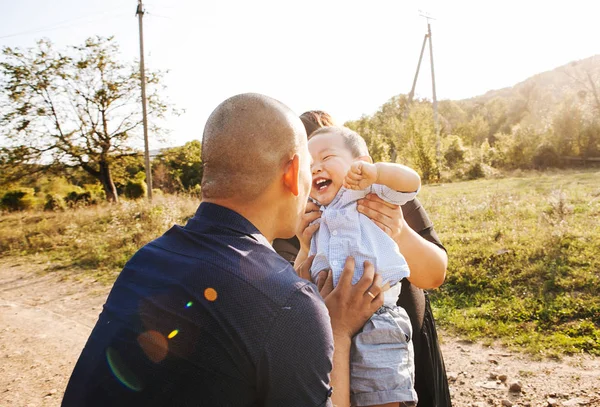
247,140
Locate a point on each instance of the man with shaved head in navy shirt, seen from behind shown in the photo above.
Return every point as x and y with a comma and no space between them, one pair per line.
209,314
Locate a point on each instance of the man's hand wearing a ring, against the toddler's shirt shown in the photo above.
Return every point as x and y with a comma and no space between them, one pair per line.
350,306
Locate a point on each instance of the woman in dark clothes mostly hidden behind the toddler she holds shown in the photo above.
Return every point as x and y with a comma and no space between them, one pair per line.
413,231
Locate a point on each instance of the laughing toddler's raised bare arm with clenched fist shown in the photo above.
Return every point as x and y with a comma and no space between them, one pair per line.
397,177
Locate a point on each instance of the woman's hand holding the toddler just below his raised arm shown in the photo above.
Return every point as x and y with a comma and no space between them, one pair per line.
387,216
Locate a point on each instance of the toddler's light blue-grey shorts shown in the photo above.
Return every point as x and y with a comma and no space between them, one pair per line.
382,368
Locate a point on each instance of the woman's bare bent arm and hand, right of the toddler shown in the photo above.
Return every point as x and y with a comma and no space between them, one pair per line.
427,261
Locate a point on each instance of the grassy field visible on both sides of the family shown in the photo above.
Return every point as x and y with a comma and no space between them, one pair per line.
524,253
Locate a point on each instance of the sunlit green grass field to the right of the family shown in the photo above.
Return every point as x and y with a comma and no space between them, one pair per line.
524,260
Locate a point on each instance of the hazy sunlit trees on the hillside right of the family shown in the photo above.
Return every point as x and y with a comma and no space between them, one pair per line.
550,120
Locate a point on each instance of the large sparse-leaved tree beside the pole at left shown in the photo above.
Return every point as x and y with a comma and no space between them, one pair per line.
78,108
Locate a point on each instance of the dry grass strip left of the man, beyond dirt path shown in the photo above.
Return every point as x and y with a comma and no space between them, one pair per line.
101,237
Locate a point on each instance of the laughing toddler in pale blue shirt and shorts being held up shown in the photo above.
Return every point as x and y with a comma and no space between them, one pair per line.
382,367
